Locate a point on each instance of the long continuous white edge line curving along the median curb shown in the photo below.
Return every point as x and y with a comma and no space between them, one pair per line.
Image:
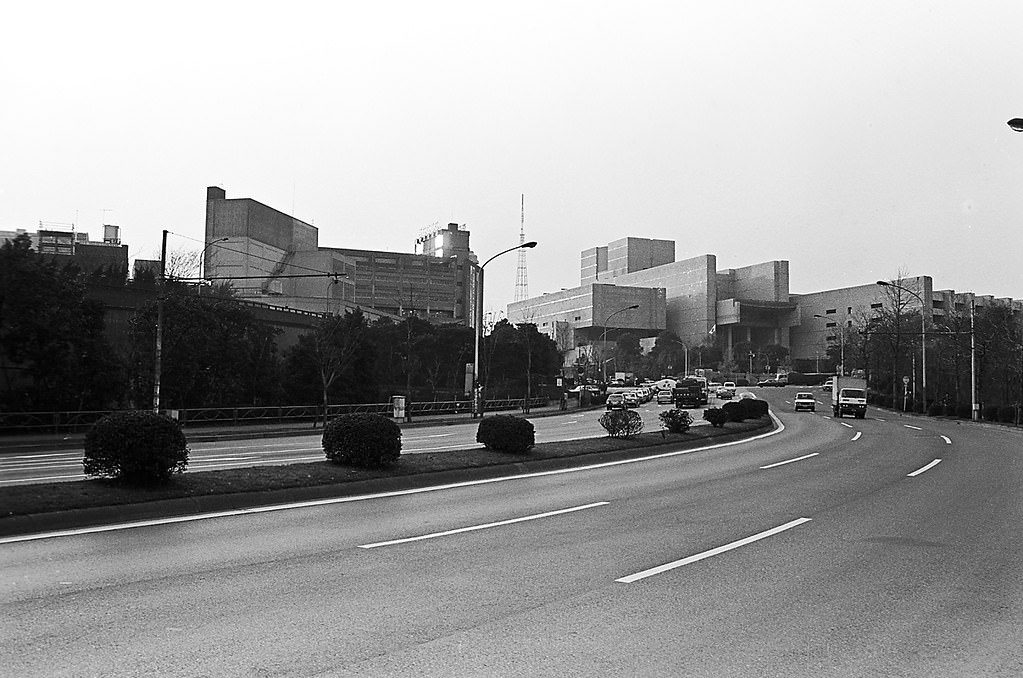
381,495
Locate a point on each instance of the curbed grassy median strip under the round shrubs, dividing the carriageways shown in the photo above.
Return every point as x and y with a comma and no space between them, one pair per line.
43,508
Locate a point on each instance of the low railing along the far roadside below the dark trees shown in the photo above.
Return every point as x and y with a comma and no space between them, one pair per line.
59,423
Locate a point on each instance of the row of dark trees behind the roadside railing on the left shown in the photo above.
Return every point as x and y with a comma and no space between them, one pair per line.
56,355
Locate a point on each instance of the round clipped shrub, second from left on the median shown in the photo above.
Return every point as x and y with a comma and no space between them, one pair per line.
367,441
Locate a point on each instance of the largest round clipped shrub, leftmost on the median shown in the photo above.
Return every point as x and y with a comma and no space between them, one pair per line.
138,447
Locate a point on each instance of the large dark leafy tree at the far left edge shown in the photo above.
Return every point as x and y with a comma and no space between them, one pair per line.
54,353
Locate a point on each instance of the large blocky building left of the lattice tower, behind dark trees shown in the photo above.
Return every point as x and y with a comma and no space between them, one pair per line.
270,256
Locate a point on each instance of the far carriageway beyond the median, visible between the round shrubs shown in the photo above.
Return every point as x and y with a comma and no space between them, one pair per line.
48,465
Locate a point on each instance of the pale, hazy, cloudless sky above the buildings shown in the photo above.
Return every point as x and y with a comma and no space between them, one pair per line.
858,141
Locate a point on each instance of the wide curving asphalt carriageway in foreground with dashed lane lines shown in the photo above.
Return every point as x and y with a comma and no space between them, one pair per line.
877,548
